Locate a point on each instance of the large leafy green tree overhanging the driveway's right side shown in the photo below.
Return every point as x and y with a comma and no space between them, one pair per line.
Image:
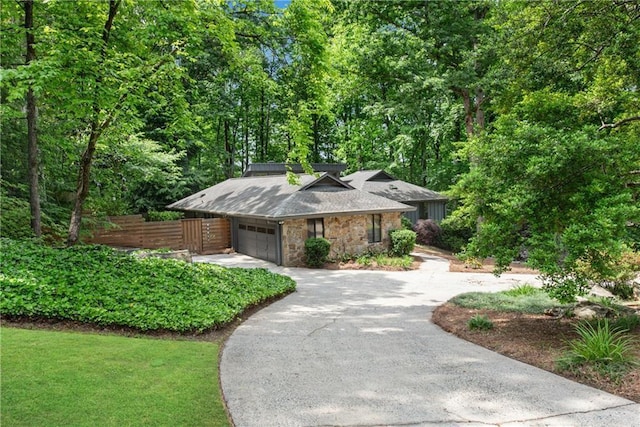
550,179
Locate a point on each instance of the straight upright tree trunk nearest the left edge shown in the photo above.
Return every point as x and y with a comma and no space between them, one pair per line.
32,136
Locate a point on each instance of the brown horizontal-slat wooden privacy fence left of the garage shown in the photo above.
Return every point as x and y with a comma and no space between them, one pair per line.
199,235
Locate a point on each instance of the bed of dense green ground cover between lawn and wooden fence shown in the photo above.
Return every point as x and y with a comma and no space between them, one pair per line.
99,285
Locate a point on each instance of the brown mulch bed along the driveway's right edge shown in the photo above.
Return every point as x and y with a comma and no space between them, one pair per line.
537,340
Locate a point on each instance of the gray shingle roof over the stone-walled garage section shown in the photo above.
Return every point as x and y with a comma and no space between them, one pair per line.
272,197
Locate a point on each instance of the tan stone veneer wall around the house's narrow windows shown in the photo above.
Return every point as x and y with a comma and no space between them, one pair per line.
347,234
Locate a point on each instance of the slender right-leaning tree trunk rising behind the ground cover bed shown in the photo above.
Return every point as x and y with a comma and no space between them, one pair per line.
84,173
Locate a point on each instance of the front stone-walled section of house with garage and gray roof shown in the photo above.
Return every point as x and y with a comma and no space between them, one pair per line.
271,218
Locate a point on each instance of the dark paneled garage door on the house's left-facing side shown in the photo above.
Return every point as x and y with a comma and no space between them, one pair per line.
257,238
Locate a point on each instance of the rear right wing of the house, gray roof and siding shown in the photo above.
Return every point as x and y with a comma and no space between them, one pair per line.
428,203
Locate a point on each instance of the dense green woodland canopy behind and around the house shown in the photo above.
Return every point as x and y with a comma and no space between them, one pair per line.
527,113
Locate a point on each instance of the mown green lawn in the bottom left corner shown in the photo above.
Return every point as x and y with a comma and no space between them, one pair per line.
77,379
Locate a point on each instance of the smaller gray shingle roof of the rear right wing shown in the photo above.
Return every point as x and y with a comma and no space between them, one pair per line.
380,183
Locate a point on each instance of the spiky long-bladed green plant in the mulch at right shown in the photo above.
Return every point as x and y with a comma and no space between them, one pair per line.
599,345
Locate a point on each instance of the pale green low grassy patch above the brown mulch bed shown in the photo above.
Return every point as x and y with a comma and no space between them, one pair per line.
523,299
